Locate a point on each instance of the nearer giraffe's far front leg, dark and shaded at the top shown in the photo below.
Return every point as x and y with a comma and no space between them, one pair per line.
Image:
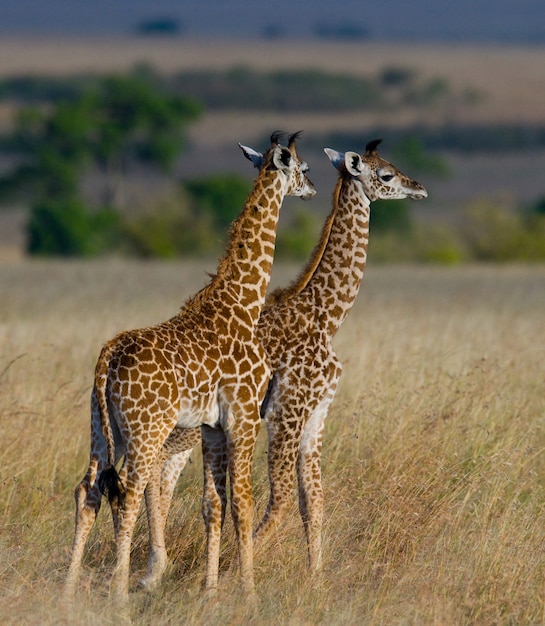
214,499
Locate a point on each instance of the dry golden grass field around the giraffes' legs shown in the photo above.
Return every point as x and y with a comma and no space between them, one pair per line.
433,459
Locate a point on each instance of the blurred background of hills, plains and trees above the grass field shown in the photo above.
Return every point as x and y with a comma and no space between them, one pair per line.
119,122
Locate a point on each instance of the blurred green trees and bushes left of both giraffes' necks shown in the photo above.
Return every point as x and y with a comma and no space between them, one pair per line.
109,127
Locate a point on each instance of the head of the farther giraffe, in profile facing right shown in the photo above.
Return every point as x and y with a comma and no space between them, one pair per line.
380,179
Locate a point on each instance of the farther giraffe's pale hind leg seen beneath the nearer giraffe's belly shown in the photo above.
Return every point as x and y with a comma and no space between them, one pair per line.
158,495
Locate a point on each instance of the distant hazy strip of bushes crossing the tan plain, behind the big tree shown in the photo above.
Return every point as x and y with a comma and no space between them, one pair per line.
287,90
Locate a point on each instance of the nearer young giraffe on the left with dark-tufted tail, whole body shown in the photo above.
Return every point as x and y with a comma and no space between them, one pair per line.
203,367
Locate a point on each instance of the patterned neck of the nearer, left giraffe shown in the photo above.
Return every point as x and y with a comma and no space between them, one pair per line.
245,270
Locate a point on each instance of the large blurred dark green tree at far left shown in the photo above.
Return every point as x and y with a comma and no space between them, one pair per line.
107,127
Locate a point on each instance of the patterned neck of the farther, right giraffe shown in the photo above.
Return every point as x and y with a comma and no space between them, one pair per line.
334,284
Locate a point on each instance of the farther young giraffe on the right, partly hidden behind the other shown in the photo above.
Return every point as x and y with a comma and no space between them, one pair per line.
295,328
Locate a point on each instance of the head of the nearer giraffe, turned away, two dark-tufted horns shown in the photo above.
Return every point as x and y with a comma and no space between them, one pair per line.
287,160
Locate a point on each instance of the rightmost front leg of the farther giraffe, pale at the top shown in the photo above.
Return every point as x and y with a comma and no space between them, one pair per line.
311,498
